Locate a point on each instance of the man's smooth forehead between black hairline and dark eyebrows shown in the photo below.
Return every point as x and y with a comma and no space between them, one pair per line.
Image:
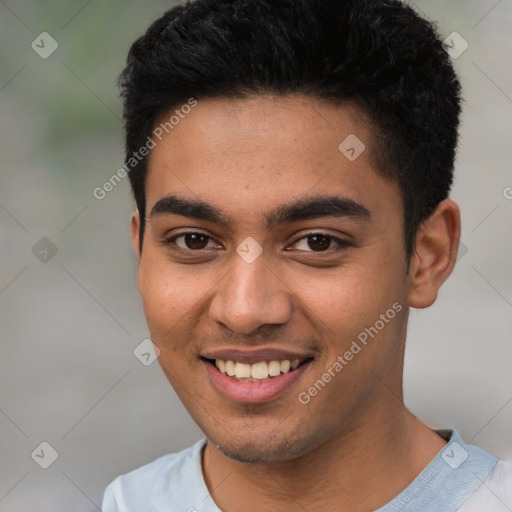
244,154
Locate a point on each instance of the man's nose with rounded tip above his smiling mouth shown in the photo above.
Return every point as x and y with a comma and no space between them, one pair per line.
250,296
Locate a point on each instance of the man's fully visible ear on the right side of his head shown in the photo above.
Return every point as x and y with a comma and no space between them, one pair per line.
434,255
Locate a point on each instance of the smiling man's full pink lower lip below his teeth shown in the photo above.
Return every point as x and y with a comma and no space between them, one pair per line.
253,392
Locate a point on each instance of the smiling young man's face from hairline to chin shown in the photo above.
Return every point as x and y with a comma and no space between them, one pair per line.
266,243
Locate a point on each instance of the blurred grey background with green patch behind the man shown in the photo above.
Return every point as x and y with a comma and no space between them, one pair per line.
71,319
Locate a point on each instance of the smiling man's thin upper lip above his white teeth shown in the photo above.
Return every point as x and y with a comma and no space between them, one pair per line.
251,356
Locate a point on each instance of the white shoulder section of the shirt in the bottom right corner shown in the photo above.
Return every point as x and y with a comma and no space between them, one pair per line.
495,492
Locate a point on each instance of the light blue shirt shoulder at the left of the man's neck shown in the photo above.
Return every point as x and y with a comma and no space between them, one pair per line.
176,473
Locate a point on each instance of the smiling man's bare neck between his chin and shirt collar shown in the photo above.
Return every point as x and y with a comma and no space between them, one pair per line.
360,469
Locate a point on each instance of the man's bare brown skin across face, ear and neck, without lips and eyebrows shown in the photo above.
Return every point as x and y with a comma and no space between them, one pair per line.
354,446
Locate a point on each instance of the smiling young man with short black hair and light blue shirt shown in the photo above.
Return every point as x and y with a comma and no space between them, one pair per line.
291,162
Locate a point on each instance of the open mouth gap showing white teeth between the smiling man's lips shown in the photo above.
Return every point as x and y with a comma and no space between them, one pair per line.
257,372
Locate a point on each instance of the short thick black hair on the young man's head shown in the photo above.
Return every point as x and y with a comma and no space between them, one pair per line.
378,53
